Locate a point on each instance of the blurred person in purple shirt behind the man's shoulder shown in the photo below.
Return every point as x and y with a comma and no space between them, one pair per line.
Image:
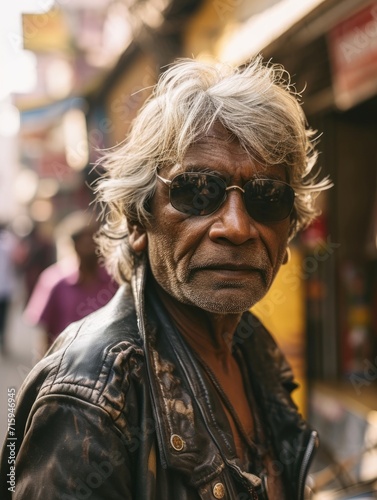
67,291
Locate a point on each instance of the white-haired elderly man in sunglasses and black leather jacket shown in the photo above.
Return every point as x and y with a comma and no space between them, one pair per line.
174,391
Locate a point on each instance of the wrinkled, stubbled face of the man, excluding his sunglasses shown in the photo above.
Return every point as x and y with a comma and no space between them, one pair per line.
223,262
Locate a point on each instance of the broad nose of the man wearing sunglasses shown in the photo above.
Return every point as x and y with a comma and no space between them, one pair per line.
232,222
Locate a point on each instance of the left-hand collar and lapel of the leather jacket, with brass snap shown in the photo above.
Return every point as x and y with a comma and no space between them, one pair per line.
185,444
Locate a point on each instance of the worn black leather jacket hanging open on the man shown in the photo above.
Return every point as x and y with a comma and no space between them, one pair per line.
120,409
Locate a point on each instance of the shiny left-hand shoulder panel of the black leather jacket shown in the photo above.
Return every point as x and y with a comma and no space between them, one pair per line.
94,360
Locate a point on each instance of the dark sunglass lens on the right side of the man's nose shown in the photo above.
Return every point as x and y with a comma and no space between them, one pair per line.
268,200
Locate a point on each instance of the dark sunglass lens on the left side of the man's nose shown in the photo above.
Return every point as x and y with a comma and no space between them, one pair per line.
197,194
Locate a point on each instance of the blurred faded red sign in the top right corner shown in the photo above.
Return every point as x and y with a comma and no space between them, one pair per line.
353,54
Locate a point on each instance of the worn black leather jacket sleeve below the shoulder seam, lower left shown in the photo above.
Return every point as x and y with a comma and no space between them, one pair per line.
72,450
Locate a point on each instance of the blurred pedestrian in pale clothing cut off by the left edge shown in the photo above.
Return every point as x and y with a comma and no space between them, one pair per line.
7,278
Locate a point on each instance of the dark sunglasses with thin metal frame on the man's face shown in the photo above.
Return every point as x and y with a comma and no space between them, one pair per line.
266,200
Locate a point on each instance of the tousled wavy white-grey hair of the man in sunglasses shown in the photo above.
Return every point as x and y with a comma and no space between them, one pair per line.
256,103
